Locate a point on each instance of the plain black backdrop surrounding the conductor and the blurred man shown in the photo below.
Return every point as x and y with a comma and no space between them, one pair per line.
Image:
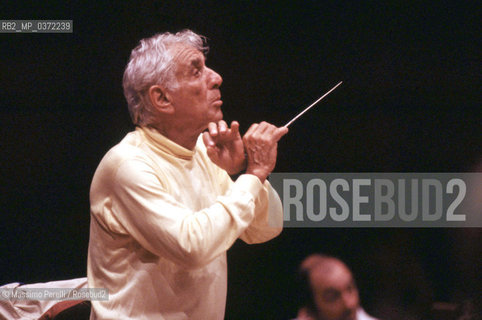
410,102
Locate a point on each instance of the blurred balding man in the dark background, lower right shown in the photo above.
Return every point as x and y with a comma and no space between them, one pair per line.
331,291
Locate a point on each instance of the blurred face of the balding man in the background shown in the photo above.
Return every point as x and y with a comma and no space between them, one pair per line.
335,293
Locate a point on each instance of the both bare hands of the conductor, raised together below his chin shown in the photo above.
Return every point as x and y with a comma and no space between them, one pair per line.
256,151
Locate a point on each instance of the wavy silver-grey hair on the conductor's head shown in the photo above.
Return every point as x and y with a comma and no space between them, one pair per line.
150,63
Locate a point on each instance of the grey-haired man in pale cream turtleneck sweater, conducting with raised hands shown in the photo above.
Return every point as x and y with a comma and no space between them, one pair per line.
164,209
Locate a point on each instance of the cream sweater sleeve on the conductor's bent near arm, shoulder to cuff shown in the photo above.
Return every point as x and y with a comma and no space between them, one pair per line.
168,228
